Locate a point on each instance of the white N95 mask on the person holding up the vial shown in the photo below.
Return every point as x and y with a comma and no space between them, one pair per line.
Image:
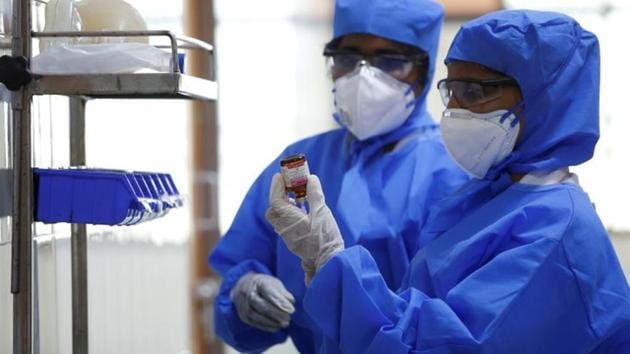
478,141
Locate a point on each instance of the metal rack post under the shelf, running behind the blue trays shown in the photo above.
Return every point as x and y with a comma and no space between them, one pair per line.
79,235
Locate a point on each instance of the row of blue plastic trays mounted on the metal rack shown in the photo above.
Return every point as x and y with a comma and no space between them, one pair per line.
103,197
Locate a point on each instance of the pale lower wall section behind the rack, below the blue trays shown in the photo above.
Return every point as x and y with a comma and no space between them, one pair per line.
138,294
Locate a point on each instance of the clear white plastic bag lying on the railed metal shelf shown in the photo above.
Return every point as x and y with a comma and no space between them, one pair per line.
109,58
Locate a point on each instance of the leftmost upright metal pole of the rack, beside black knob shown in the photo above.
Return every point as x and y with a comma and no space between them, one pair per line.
22,219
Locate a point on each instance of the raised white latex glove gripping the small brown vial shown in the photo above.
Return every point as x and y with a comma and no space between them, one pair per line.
314,237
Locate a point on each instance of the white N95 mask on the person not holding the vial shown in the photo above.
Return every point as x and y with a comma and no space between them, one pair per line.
371,102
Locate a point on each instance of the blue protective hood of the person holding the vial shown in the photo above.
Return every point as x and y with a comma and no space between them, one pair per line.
556,64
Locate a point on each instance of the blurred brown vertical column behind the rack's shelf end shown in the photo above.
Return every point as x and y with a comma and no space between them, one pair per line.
199,18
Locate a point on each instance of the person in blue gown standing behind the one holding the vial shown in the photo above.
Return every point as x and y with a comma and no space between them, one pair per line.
381,170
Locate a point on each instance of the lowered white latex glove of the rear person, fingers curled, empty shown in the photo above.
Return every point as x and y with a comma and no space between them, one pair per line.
262,302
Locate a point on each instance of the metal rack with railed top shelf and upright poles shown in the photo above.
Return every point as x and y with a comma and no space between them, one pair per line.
80,88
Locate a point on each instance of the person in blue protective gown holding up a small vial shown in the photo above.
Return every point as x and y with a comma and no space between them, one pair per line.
515,261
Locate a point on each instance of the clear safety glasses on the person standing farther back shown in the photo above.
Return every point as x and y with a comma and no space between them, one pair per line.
341,62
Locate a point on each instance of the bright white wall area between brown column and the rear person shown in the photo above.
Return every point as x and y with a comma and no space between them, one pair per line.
274,88
